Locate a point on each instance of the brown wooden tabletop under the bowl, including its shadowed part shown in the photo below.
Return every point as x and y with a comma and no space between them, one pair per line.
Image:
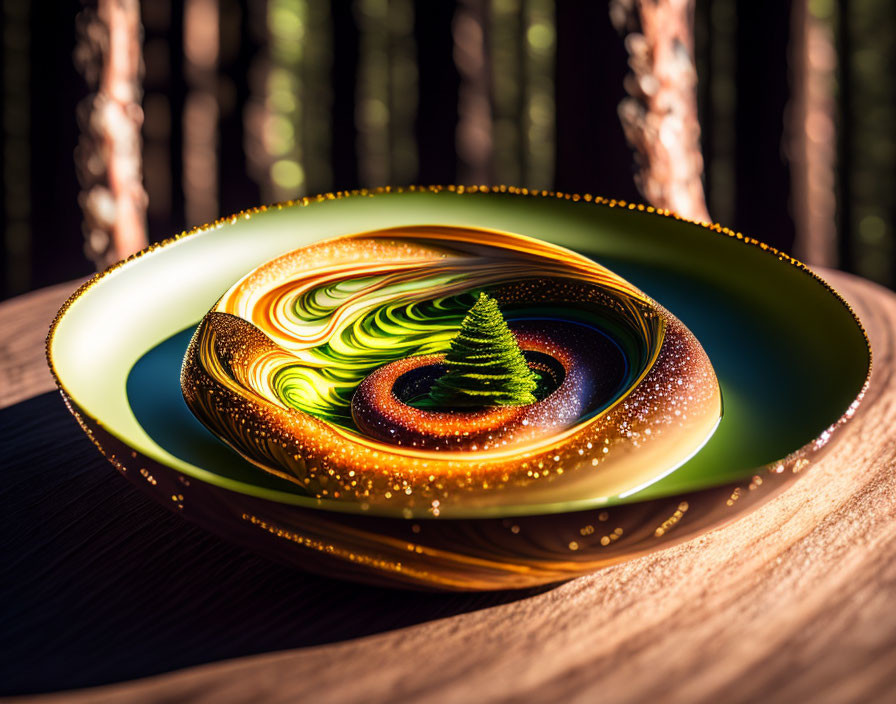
796,602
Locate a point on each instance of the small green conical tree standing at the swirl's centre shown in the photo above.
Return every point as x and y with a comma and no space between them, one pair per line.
485,364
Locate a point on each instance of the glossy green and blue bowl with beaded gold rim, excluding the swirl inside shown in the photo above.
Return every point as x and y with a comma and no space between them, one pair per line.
791,358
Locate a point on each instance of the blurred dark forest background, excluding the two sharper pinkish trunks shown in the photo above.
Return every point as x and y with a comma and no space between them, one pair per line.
253,101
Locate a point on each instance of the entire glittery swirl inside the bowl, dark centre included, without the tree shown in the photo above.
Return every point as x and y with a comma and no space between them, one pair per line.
319,367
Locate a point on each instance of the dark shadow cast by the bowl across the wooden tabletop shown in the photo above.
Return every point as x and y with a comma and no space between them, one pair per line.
99,584
